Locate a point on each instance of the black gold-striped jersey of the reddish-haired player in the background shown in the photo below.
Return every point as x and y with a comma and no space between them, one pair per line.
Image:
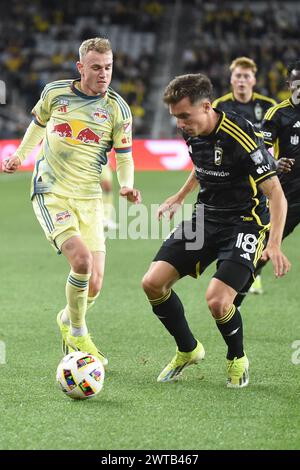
254,110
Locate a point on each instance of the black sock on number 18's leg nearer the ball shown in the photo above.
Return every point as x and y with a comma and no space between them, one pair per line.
169,310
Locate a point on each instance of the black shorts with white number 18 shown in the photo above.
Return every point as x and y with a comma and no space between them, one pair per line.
242,243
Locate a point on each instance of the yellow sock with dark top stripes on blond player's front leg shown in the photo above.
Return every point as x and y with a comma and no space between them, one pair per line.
77,293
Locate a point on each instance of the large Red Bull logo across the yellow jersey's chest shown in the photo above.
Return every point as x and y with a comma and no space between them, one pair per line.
76,132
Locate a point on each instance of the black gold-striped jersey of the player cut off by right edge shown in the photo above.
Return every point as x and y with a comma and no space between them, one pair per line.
281,128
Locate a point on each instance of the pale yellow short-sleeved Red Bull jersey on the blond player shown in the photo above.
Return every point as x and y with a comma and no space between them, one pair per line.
80,130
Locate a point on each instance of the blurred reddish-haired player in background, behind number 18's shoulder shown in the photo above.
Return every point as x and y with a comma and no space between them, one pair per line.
251,105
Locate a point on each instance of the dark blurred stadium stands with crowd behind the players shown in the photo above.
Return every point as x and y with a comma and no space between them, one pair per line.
152,42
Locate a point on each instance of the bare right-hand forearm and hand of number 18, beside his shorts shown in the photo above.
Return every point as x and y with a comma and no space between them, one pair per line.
272,189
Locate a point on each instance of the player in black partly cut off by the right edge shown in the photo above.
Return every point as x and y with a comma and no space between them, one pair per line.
281,129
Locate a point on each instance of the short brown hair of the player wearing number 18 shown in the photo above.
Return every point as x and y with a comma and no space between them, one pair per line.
194,86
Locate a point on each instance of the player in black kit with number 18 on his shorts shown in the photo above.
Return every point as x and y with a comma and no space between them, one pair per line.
236,174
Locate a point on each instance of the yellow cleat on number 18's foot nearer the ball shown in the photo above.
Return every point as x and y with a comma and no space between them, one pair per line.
179,362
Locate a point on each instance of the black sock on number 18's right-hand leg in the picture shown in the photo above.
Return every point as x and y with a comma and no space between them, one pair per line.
231,328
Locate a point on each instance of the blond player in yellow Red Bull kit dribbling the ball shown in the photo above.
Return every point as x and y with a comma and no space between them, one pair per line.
79,121
